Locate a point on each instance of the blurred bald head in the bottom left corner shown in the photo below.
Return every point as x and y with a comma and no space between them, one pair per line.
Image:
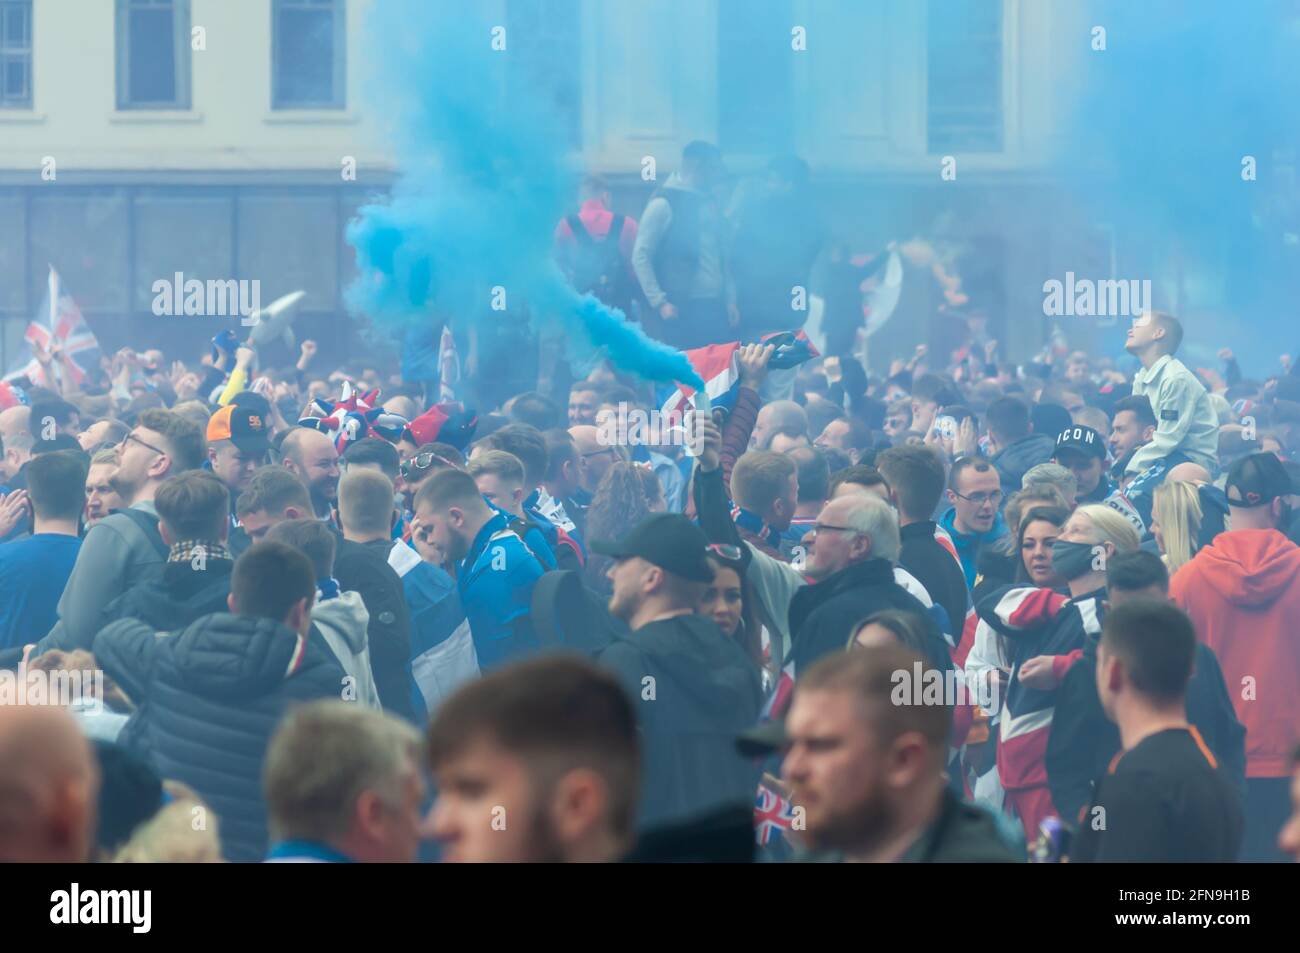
49,787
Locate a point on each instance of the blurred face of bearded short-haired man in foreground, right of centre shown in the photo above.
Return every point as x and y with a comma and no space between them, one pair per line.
834,768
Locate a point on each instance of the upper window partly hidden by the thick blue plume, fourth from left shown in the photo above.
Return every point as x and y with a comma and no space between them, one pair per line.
547,62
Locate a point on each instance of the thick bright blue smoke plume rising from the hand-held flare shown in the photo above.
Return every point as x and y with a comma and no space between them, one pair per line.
482,185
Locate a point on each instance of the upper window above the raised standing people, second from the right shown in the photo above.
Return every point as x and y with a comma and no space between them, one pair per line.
756,77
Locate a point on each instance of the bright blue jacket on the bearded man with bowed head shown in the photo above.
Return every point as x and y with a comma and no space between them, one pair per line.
496,582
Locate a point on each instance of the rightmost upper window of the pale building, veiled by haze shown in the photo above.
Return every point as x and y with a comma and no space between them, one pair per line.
964,73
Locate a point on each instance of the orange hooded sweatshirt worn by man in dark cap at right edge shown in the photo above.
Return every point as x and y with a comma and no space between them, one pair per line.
1243,595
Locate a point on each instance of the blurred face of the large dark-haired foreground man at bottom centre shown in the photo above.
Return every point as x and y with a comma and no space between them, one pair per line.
489,809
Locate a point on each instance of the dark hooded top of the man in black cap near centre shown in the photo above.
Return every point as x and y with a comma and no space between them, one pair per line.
695,691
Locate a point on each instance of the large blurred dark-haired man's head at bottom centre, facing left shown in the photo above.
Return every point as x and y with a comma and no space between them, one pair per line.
536,763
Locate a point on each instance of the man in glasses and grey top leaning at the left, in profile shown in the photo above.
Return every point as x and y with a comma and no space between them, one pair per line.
125,547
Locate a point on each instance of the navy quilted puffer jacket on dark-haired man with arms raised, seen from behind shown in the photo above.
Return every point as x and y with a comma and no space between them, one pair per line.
209,700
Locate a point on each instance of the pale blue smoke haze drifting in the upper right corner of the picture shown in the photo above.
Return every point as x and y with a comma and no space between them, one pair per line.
1155,146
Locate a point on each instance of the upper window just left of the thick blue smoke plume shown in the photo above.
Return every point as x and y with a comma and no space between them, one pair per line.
309,50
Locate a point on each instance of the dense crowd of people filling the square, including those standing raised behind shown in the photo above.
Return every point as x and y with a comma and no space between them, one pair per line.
964,610
